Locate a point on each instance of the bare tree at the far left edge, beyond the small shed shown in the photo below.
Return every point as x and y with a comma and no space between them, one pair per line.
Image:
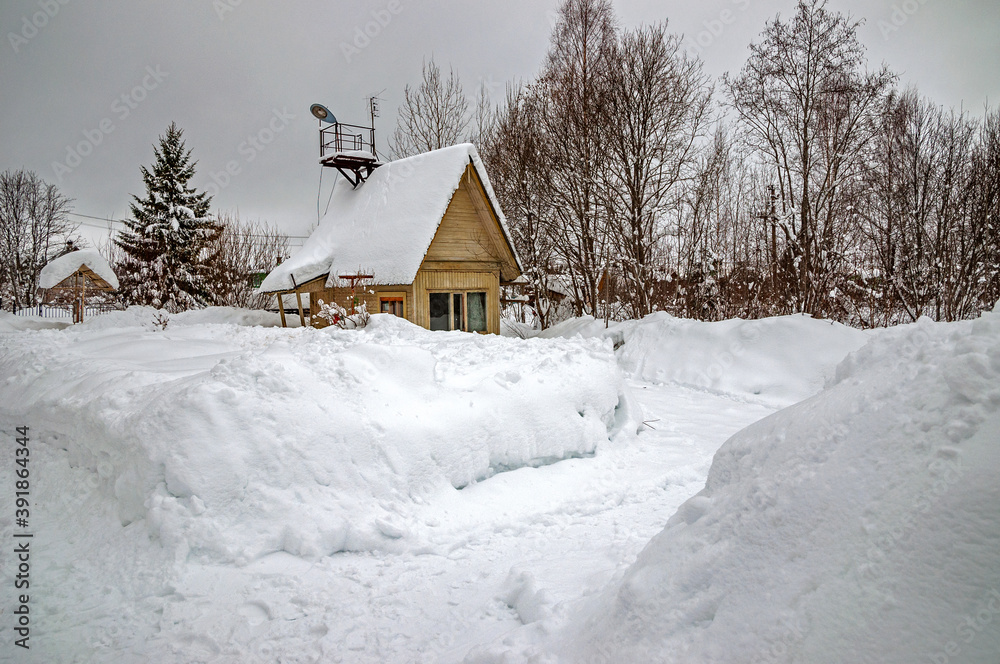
34,228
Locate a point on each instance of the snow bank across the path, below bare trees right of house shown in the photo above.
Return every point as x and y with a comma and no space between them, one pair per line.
778,361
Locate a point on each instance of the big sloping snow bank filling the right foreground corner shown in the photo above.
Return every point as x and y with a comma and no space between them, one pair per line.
862,525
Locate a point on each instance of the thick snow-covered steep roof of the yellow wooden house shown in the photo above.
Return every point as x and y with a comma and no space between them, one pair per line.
385,226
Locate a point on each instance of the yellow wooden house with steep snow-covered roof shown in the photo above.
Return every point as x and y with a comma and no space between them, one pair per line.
428,234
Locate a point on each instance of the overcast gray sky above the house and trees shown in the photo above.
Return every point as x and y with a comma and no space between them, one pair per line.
87,86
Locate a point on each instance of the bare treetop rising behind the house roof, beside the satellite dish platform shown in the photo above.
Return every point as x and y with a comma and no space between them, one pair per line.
434,115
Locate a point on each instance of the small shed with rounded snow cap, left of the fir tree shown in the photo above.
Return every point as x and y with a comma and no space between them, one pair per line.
69,278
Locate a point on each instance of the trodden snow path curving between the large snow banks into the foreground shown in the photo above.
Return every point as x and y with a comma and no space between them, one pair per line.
531,538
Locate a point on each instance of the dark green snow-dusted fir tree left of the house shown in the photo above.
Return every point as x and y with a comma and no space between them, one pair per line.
165,244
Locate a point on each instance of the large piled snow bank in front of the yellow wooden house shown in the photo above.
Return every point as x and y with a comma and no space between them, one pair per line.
234,441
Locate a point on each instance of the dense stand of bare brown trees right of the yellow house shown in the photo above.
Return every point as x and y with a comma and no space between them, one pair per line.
830,193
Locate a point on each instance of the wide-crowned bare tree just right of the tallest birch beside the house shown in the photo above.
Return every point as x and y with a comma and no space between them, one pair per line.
658,107
